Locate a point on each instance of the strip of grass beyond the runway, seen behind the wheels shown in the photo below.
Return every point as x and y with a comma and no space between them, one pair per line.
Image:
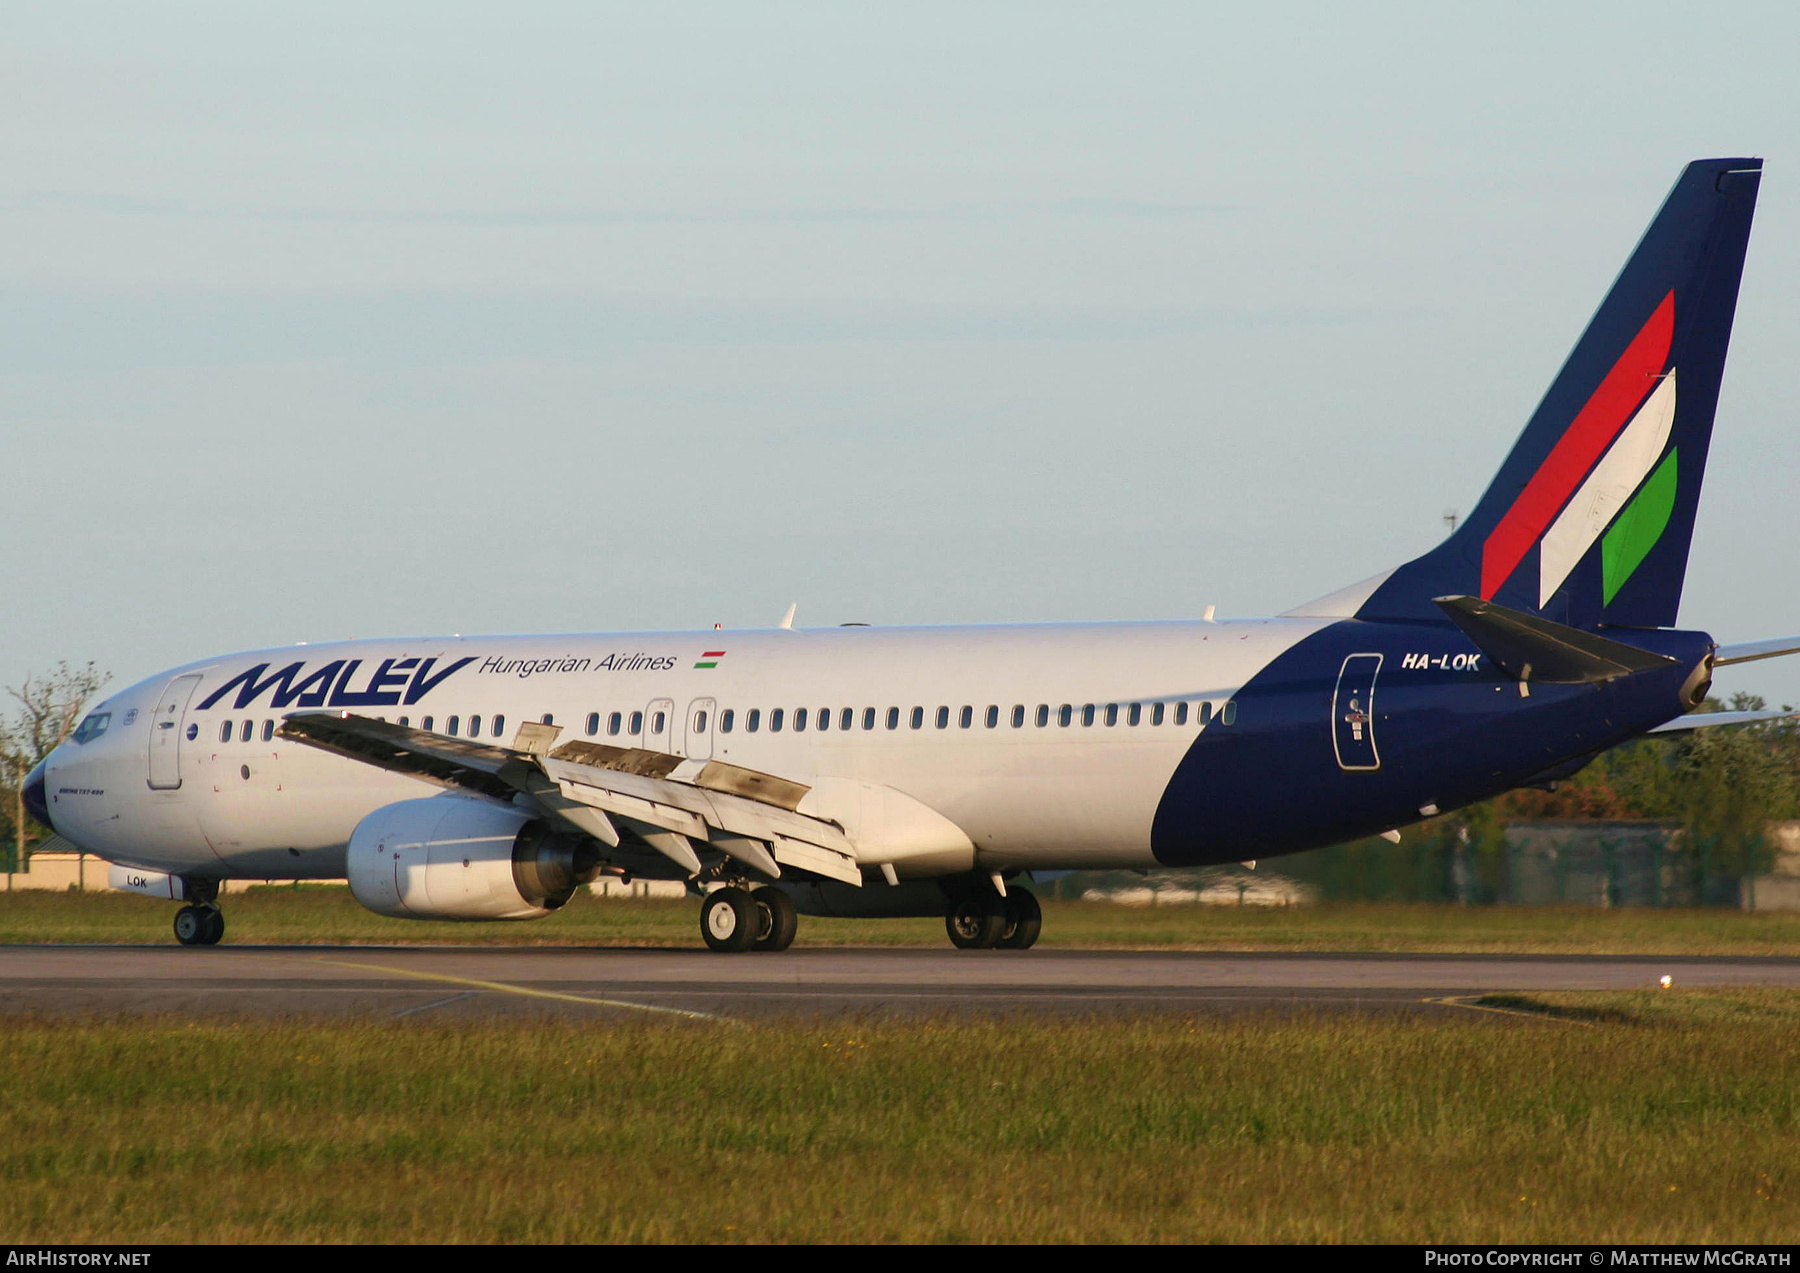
330,914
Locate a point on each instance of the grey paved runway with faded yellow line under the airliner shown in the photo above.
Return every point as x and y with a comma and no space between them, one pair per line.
463,982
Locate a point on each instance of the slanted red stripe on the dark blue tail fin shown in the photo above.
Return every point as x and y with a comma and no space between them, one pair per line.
1576,453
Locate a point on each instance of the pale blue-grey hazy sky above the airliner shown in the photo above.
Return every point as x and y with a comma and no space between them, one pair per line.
327,321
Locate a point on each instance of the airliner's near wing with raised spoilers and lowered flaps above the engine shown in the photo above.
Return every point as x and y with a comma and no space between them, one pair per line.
669,802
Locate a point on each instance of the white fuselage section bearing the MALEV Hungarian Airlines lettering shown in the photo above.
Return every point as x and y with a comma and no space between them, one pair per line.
1047,746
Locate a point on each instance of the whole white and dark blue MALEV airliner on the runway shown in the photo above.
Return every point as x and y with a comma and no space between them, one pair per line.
917,772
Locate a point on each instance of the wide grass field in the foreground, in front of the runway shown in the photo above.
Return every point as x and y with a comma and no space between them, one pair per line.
1648,1124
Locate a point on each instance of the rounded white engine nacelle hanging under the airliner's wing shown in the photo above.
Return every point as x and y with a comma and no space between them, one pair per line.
453,858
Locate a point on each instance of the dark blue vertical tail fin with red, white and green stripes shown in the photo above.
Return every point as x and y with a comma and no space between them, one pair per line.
1590,518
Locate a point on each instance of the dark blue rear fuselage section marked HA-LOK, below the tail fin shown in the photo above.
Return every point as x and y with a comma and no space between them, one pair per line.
1369,727
